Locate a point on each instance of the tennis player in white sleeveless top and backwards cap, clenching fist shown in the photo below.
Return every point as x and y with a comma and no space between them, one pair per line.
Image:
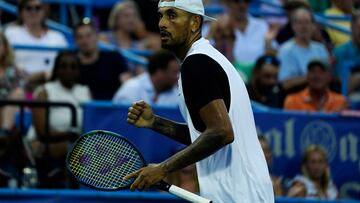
220,130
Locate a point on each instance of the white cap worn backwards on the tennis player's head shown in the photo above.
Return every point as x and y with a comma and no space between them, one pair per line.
191,6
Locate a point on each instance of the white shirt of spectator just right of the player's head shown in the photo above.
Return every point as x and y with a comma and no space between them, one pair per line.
250,45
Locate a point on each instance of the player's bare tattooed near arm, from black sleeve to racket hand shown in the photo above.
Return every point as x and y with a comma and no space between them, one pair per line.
218,133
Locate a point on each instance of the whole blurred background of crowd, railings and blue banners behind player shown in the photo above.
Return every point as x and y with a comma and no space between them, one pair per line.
71,66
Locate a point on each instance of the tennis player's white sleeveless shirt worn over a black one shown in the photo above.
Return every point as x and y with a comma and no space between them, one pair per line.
238,172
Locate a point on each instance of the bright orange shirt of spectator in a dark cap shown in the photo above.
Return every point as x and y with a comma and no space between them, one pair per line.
302,101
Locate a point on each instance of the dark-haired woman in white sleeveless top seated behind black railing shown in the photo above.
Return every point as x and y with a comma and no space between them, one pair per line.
50,148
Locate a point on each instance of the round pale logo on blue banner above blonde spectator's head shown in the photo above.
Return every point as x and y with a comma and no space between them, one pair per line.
319,133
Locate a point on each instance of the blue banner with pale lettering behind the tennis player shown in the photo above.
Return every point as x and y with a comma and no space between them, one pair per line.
289,134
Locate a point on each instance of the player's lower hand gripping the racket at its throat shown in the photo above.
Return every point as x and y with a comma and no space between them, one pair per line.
146,177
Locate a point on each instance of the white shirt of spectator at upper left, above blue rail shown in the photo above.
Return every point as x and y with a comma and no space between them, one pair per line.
30,60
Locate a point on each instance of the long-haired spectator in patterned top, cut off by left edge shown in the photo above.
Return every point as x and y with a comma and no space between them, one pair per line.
11,87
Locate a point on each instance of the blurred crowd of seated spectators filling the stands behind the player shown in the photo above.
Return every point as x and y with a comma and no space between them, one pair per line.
289,62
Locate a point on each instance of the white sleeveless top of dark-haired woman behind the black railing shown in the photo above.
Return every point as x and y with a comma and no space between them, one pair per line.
60,117
